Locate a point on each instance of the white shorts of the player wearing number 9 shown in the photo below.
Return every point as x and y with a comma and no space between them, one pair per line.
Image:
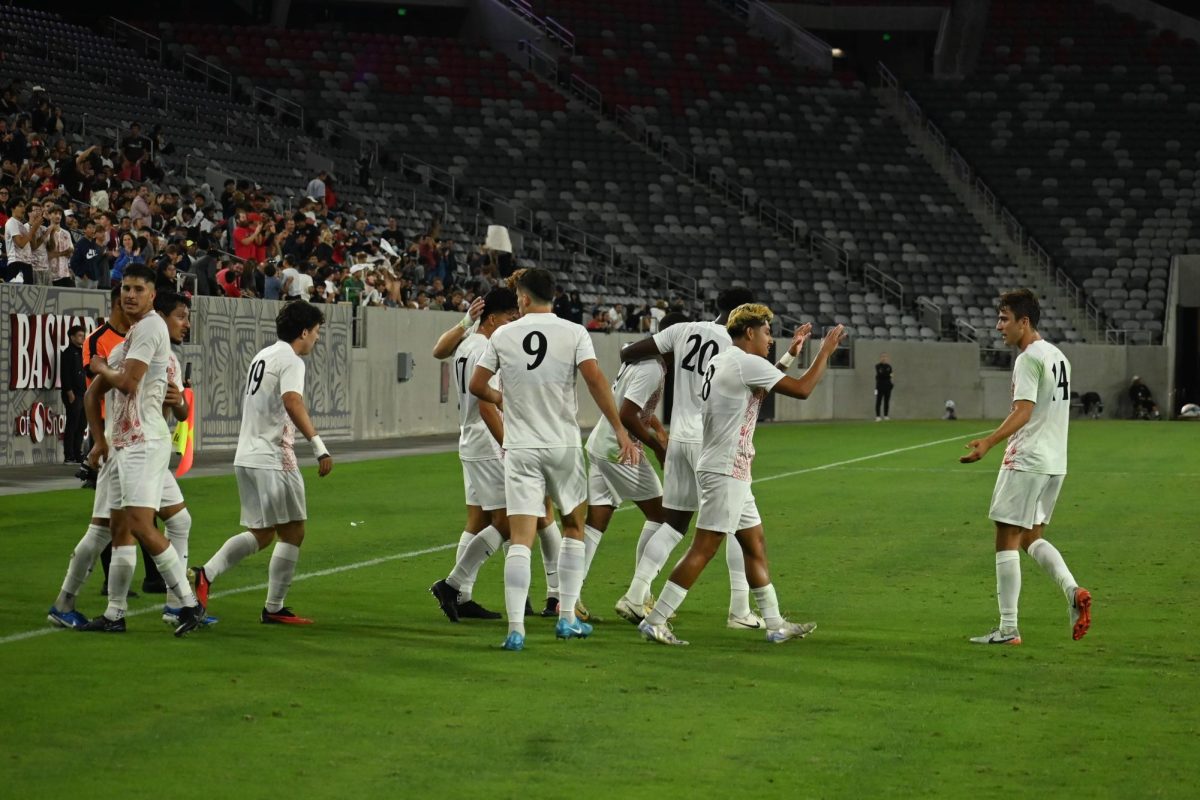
531,476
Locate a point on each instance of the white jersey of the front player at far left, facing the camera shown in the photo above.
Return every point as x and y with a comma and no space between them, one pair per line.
139,417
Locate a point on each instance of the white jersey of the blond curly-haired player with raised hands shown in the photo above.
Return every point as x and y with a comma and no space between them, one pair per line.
733,392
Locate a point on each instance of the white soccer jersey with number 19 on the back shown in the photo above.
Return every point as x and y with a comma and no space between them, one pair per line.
268,435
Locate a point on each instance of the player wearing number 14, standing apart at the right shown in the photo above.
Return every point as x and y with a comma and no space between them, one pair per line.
1034,468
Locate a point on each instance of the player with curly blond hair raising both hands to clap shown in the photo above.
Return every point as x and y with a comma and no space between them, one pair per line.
735,384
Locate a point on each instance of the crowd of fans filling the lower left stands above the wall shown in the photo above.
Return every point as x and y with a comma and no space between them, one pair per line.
80,219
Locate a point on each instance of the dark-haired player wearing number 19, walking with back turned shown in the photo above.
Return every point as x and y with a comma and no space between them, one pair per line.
269,483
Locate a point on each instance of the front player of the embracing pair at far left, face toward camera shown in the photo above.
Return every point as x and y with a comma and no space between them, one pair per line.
141,442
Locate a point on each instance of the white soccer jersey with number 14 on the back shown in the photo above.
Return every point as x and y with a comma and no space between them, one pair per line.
1041,375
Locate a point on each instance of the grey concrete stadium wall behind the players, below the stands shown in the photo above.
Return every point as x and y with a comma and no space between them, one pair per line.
353,393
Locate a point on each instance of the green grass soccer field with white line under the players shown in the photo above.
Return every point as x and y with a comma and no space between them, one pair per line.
892,555
